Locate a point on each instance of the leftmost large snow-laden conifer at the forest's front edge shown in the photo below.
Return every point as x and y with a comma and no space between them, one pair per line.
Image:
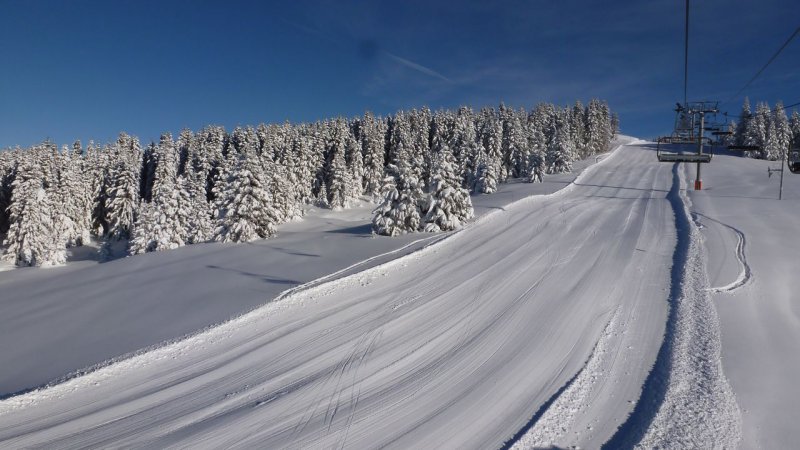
32,238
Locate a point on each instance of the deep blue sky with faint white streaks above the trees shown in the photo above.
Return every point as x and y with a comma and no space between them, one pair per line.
90,69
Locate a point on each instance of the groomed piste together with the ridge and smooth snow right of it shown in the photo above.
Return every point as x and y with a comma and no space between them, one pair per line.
587,318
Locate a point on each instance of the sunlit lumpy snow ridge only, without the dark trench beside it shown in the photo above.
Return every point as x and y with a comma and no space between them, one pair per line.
700,409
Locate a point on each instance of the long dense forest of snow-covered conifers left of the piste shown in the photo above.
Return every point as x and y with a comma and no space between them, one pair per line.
231,187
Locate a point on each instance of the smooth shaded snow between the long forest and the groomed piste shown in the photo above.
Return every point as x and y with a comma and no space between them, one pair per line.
59,321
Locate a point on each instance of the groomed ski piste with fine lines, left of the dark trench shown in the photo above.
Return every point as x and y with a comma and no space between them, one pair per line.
456,345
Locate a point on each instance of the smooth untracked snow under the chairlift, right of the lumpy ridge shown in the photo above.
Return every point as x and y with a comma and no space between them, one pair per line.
753,248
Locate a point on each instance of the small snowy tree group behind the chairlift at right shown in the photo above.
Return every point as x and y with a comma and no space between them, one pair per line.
769,129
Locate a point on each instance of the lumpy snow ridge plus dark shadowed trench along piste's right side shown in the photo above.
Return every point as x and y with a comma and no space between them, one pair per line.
687,401
